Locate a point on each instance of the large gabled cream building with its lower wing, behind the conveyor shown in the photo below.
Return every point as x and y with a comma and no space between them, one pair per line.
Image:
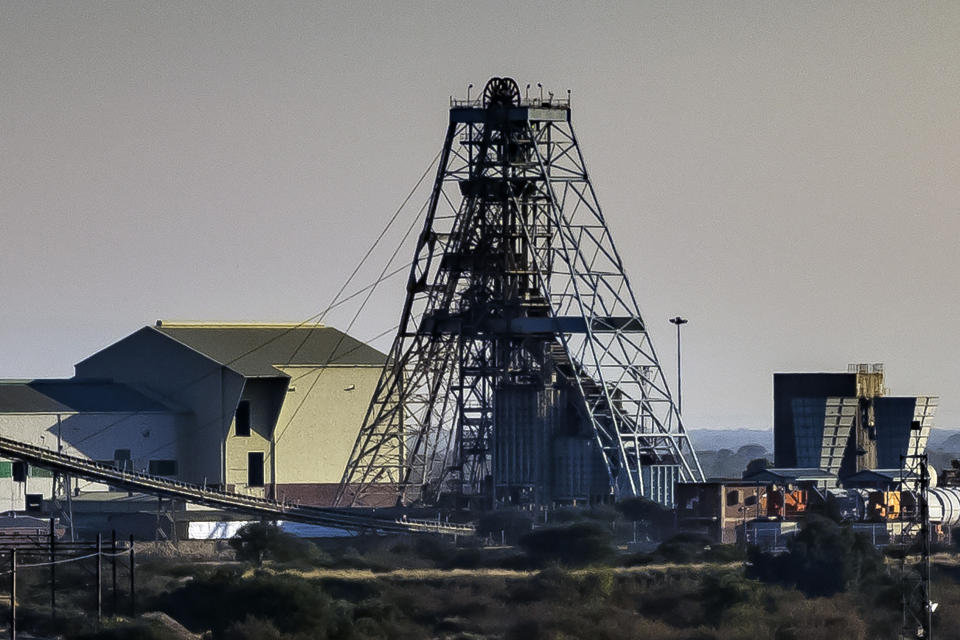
269,410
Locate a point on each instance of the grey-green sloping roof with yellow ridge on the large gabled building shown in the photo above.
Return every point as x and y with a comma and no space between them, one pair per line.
255,350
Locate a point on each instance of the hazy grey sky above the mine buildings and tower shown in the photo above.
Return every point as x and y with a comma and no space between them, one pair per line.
785,175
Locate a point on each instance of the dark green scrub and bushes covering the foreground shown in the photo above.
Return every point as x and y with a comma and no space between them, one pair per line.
564,580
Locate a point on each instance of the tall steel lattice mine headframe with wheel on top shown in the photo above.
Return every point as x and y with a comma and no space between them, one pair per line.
521,348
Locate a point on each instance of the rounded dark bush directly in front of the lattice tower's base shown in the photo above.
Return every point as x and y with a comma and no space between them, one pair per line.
575,545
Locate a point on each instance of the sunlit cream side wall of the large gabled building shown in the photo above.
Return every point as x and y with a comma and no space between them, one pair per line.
320,420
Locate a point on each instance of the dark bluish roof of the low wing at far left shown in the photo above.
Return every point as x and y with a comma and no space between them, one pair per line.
71,395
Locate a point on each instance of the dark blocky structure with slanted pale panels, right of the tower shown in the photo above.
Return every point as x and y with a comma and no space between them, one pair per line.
844,423
